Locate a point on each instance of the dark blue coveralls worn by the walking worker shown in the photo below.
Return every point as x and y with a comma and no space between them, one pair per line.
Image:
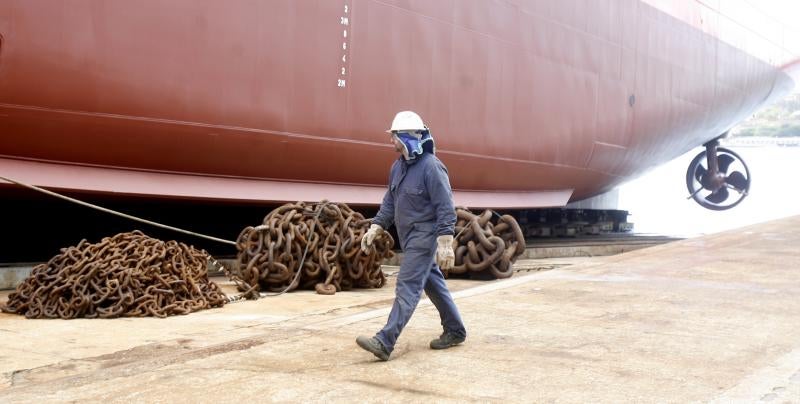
419,202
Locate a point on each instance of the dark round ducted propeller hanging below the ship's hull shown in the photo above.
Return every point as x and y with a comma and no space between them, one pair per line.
711,184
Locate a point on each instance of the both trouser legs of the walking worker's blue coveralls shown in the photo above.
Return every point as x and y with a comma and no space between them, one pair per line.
417,272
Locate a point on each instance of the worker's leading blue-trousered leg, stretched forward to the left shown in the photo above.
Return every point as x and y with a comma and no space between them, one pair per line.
411,279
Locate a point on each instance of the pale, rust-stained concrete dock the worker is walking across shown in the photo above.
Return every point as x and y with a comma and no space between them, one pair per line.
715,318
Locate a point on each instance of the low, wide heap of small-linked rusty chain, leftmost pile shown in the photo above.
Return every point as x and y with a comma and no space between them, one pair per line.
127,275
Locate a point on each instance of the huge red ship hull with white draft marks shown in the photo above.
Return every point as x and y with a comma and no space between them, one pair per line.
531,103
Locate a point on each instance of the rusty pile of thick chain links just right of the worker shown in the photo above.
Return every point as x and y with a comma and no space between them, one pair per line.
483,246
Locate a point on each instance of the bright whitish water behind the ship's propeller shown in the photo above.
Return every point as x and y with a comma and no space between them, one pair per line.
657,200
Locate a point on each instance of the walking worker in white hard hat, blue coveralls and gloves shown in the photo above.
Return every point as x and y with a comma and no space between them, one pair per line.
419,203
